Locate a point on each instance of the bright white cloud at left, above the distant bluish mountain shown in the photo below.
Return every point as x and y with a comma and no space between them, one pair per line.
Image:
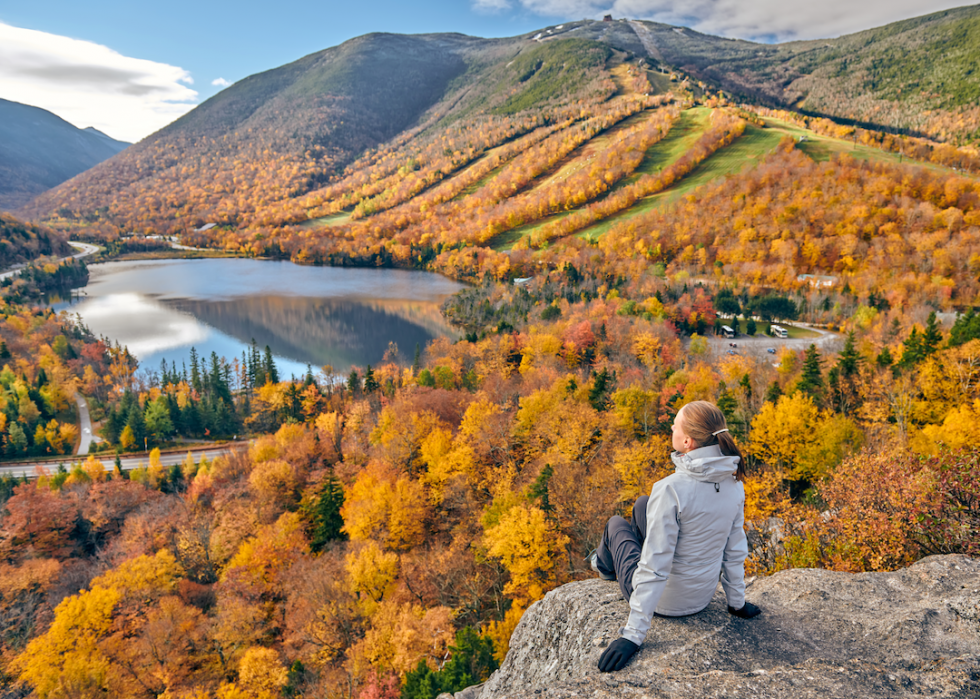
91,85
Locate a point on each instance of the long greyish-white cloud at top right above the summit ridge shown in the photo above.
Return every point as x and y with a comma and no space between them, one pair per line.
746,19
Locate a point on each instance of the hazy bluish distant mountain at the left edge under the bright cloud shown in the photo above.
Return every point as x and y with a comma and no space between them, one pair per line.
39,150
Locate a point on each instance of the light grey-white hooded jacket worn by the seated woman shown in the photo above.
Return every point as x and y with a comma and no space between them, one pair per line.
694,537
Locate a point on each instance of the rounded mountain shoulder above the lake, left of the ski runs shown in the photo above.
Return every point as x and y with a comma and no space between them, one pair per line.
284,132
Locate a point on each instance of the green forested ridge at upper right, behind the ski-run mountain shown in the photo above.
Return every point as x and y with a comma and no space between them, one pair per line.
920,75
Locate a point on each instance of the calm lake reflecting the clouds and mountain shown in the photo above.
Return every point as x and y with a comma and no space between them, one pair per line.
319,316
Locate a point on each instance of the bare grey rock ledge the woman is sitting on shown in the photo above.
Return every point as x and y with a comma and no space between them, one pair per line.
821,634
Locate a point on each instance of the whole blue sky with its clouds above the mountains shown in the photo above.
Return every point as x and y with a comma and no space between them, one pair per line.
130,71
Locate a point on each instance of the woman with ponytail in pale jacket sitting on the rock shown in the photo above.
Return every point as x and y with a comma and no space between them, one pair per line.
683,537
